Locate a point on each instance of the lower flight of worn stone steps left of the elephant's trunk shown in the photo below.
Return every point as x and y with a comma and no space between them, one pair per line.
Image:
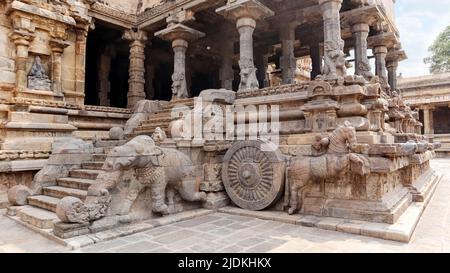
40,211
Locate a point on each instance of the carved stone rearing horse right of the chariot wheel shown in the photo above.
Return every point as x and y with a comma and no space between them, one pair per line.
336,158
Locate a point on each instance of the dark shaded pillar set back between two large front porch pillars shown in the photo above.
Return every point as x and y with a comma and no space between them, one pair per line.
288,61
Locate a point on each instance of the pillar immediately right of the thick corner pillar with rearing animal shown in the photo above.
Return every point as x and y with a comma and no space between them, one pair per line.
360,33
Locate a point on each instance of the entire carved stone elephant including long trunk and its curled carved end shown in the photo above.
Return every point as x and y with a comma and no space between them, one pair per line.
161,170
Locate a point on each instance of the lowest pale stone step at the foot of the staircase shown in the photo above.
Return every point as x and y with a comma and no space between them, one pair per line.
37,217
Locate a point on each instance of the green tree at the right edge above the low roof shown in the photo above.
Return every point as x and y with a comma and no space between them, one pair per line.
440,53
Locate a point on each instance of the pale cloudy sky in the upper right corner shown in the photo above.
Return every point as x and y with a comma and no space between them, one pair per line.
419,23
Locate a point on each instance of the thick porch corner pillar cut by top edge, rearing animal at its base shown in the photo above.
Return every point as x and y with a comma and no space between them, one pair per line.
334,57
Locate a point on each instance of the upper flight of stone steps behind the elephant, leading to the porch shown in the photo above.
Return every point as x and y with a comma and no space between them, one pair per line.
161,119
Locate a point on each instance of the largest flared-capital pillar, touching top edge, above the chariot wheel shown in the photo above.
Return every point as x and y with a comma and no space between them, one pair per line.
245,13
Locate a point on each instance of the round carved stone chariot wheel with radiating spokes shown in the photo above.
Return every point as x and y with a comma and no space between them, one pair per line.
253,176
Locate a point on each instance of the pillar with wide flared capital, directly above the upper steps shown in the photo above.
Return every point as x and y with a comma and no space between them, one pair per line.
179,35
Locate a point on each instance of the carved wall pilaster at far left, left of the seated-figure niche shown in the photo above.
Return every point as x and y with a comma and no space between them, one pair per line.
22,40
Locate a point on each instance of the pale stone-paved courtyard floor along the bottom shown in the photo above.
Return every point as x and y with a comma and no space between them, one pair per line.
229,233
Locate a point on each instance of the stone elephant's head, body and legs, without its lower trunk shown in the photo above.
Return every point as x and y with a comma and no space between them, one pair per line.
155,168
